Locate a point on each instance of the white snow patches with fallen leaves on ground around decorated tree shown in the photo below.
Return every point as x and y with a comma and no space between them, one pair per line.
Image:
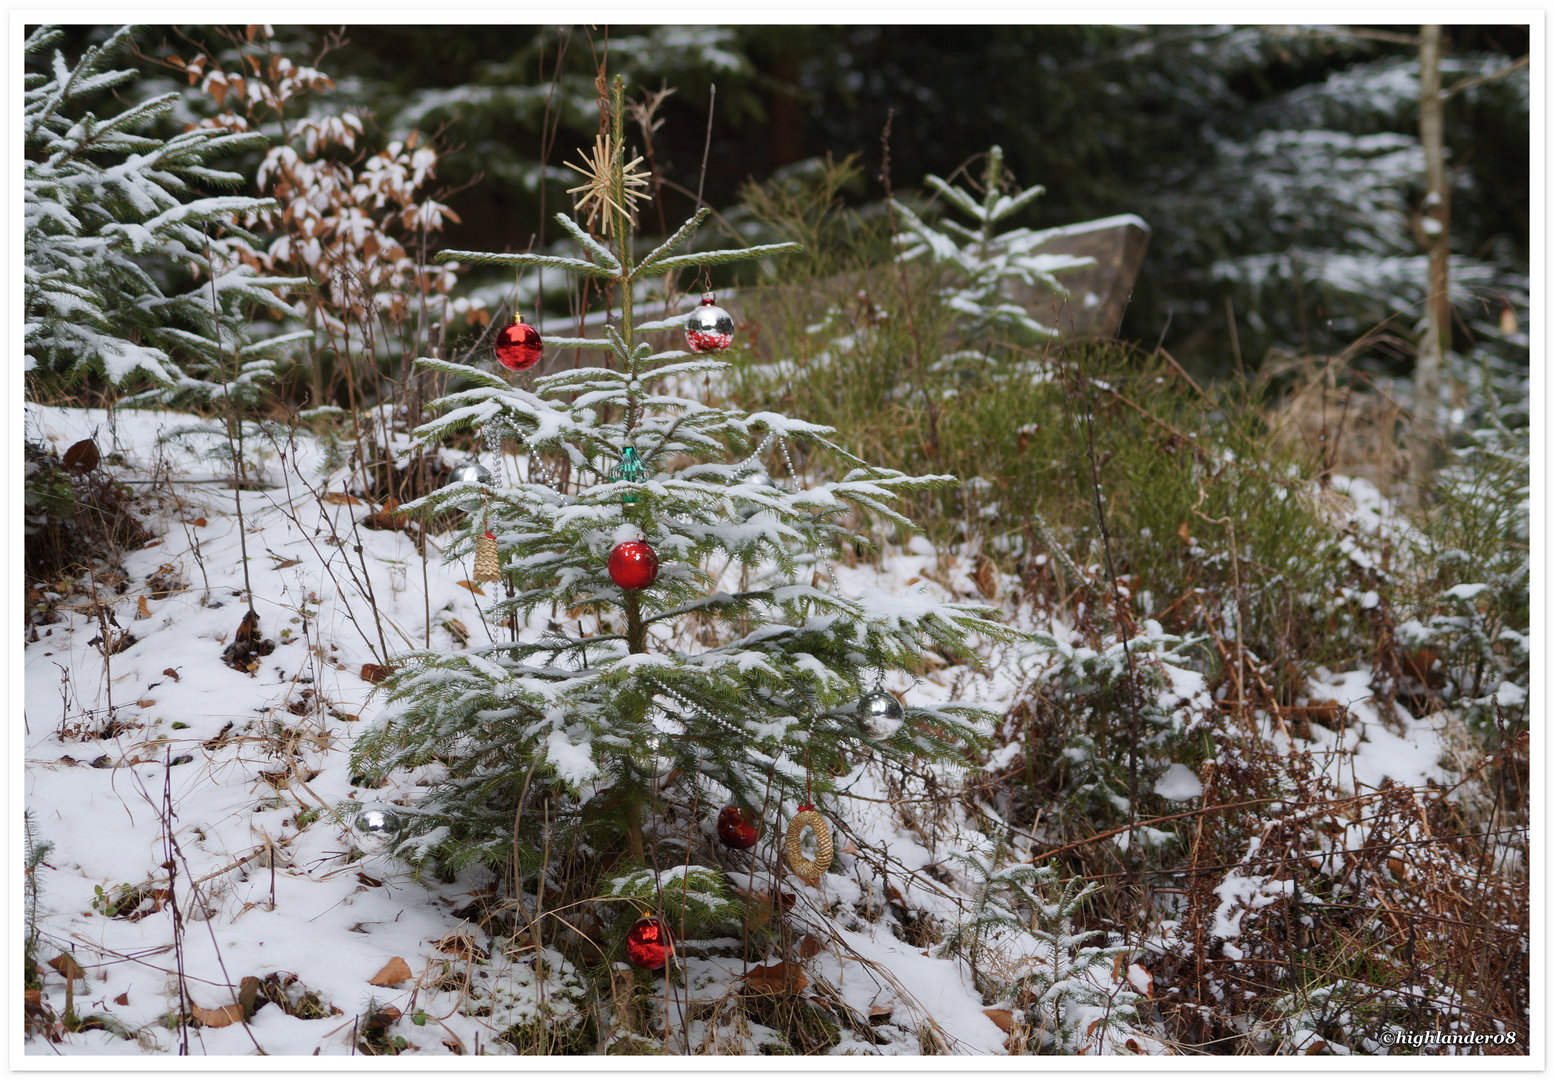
166,731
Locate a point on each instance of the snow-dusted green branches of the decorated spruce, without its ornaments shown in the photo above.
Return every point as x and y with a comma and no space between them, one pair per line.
742,663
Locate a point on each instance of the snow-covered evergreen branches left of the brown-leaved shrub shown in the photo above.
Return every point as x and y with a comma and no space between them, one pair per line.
128,270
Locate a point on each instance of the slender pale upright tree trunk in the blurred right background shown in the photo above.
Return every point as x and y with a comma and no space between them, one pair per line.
1435,234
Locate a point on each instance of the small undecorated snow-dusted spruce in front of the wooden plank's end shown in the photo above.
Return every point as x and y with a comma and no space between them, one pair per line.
989,267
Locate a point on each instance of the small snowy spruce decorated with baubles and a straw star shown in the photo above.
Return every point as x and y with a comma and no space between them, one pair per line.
675,657
